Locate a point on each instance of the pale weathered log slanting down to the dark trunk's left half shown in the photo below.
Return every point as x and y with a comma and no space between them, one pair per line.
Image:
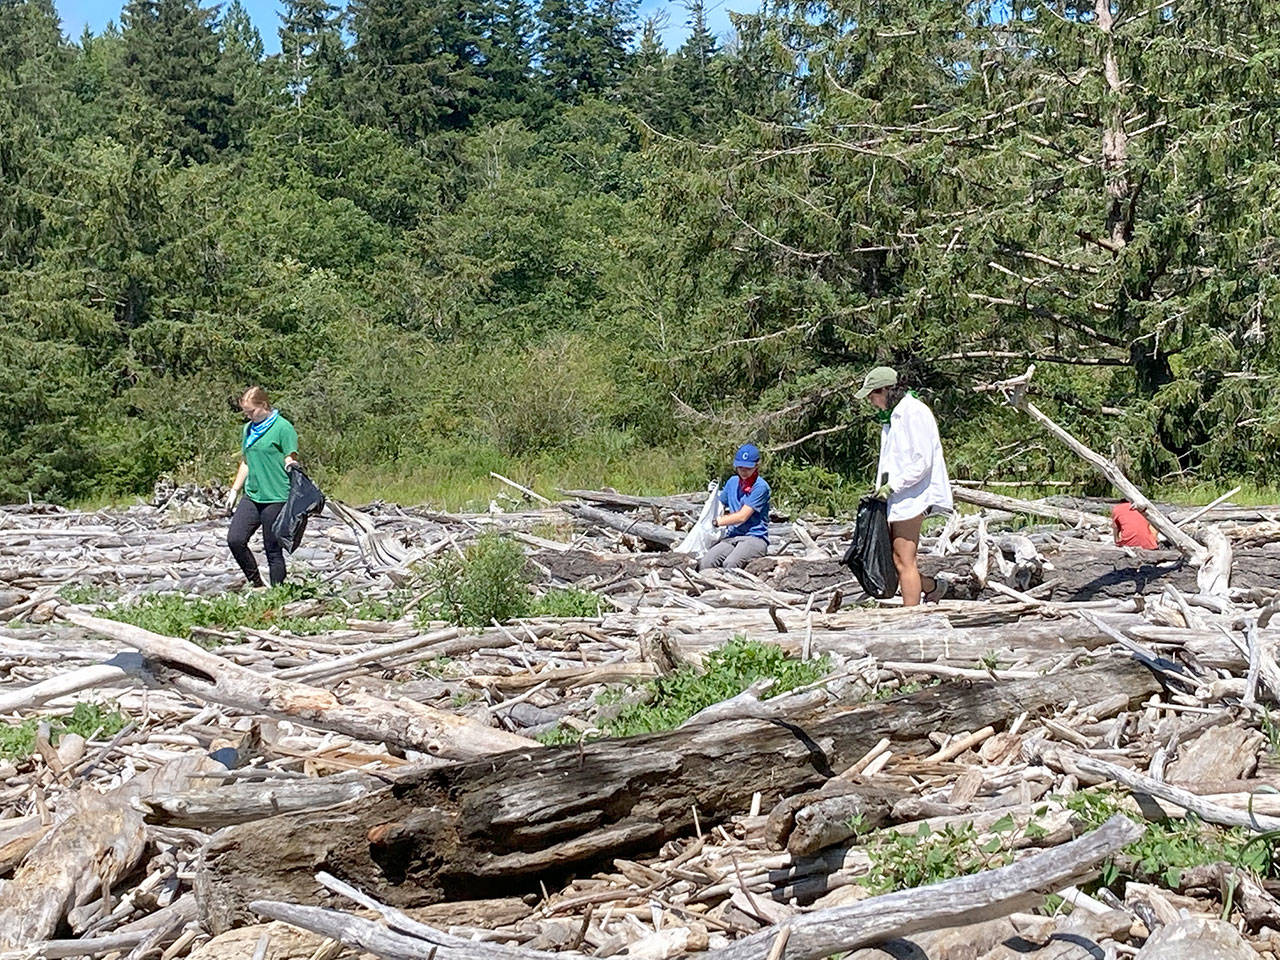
401,724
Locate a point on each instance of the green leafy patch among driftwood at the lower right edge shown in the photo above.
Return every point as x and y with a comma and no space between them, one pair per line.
1171,847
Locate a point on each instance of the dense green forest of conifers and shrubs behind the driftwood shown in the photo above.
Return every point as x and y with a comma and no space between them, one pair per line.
510,235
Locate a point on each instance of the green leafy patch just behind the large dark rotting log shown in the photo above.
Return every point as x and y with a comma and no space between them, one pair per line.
728,673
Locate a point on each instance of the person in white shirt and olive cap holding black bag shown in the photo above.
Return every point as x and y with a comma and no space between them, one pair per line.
912,477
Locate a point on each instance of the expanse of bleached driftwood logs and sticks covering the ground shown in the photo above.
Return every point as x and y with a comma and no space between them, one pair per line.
378,788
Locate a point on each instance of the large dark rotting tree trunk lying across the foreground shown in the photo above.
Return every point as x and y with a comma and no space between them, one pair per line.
456,831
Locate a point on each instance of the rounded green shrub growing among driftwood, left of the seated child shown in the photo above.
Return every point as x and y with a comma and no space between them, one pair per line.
488,583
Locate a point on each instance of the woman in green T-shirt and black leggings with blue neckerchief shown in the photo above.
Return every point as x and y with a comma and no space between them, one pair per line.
269,450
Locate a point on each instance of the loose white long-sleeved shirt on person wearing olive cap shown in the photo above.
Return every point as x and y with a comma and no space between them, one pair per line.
912,458
